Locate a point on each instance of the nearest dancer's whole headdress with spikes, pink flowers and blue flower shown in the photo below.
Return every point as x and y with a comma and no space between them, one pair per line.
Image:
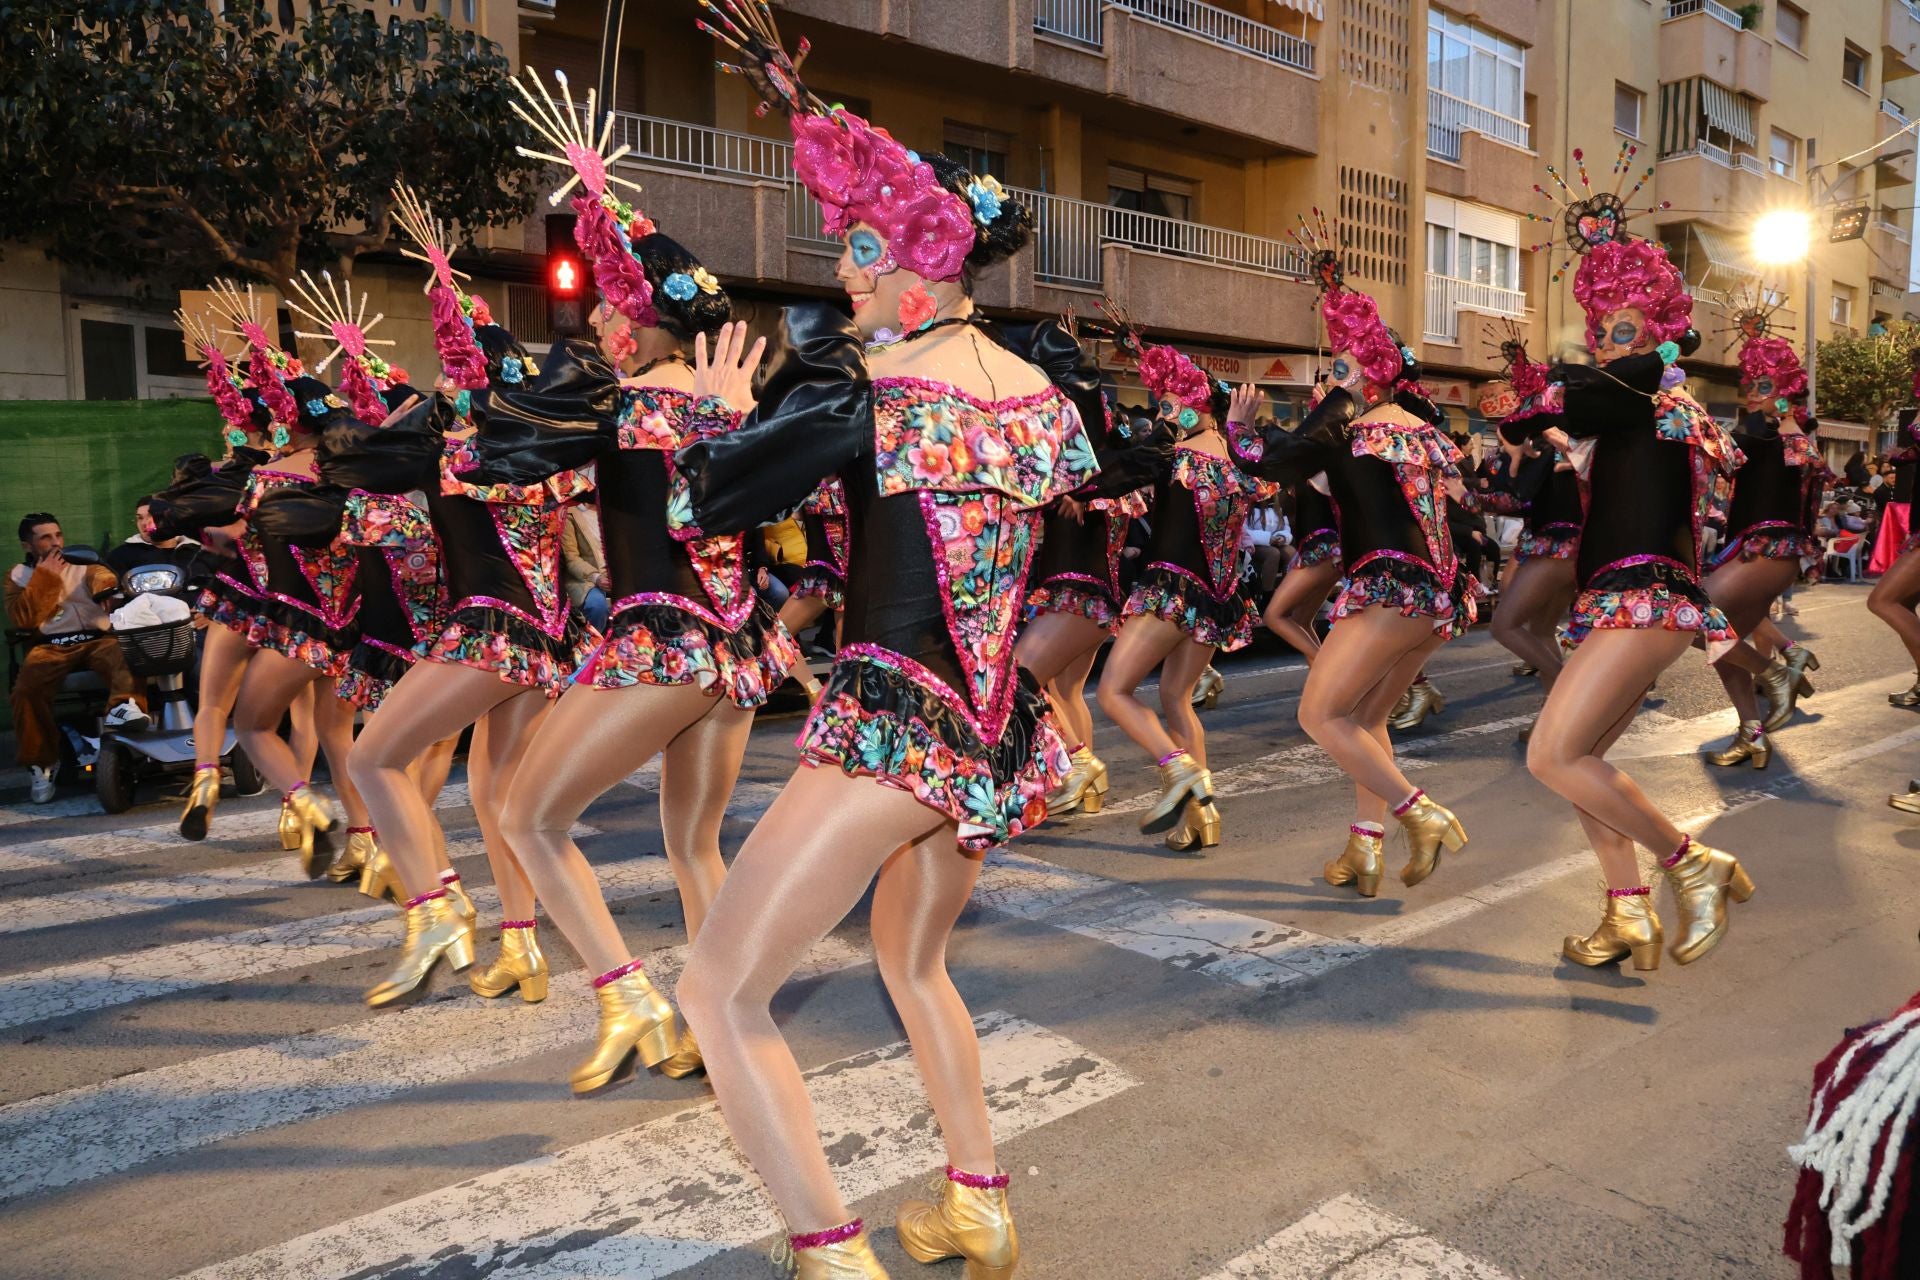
855,170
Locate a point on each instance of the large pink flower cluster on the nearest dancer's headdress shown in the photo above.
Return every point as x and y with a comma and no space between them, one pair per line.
861,176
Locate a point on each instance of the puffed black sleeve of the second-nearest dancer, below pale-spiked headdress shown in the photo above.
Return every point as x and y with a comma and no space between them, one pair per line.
562,421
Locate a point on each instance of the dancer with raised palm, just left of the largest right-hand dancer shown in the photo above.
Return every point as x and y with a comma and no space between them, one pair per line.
1391,473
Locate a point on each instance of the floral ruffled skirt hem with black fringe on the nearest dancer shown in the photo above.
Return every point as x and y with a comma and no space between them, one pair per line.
890,719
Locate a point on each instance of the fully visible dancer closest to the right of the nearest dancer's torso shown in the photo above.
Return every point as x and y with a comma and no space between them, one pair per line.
1188,604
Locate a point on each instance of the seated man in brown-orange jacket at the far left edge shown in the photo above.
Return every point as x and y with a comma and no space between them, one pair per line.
60,607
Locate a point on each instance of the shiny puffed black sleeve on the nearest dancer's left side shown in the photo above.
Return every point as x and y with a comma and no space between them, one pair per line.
813,419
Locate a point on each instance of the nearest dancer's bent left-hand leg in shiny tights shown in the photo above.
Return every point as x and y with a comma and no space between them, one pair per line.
802,870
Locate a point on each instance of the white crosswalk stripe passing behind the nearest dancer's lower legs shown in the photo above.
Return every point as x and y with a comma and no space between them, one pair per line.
661,1197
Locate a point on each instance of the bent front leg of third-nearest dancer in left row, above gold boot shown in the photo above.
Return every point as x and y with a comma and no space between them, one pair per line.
433,701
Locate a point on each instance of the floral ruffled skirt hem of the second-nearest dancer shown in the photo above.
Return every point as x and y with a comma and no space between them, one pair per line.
667,646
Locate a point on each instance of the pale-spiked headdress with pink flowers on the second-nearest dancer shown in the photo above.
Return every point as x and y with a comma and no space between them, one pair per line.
606,227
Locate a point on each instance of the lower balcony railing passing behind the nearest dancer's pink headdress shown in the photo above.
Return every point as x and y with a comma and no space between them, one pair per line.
1068,233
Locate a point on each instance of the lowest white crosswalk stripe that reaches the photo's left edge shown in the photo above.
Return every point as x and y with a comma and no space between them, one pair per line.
114,1126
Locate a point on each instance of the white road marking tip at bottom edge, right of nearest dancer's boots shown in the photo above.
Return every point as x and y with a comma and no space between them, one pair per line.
1349,1239
